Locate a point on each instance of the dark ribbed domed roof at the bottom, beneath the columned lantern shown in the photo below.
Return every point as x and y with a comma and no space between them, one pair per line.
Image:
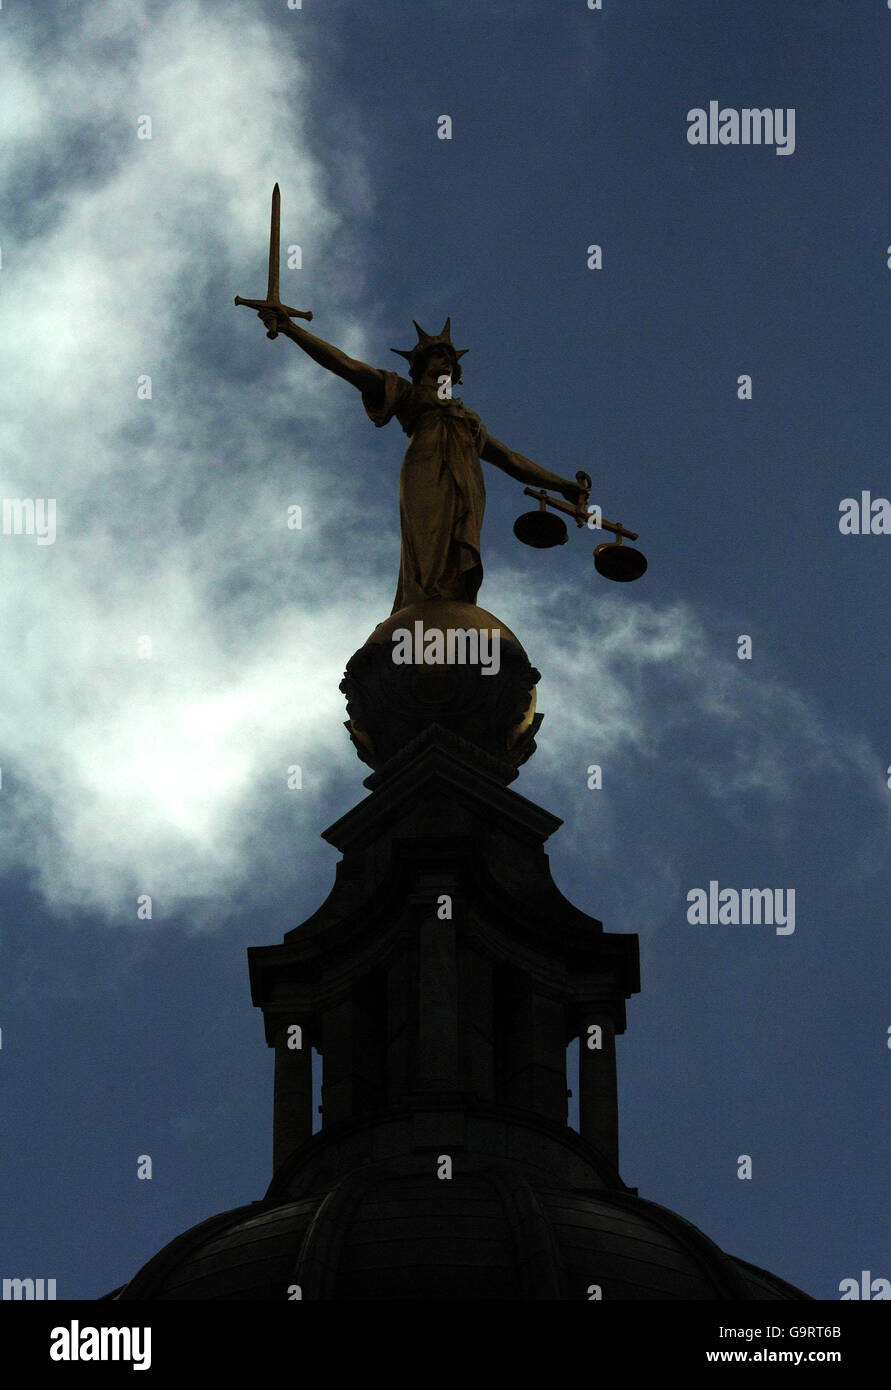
484,1235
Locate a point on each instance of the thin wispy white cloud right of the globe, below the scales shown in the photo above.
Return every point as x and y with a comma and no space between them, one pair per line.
635,676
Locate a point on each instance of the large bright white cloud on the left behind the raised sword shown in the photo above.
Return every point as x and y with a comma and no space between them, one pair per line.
122,775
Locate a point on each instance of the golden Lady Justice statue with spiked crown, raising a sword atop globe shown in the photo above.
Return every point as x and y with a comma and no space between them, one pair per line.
441,489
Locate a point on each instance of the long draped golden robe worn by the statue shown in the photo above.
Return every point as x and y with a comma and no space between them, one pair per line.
441,490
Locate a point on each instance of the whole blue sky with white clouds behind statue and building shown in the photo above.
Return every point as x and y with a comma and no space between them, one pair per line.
167,776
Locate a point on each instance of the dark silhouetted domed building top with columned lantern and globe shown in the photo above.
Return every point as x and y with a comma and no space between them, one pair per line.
441,982
